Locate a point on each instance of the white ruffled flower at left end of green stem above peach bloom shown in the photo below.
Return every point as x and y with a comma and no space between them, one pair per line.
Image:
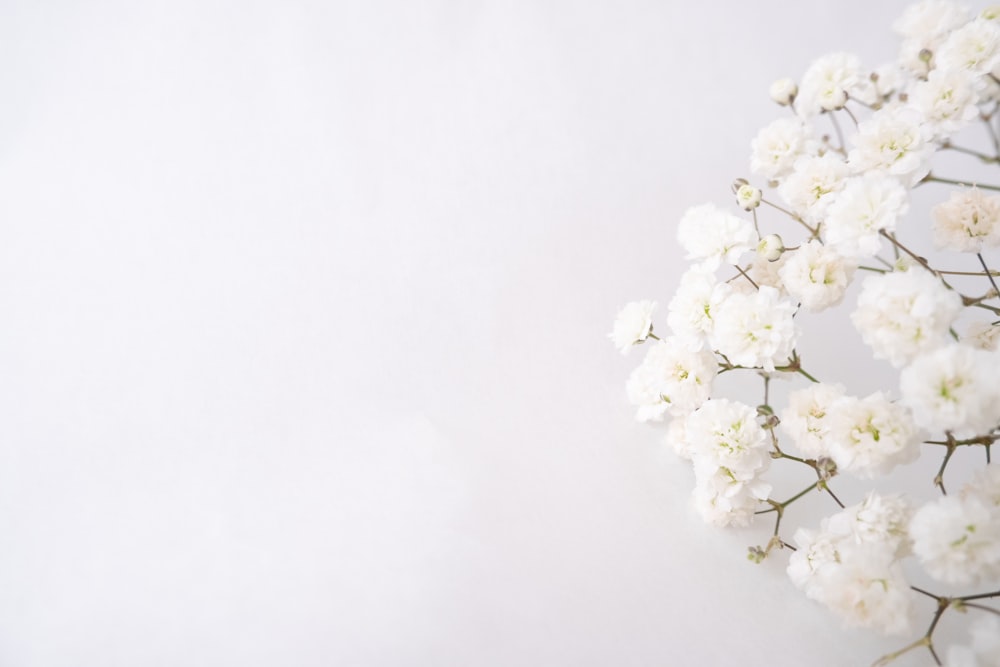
896,141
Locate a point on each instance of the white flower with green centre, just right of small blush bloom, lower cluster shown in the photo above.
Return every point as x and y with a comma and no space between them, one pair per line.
870,436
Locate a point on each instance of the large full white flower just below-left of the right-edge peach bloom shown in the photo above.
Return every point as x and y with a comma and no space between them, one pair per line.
905,313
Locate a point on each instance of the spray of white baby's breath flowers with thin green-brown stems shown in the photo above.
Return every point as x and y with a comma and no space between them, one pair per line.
845,194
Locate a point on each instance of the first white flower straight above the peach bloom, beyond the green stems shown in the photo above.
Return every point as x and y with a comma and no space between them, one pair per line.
947,100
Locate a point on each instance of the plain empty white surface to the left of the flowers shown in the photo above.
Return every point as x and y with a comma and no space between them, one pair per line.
302,358
